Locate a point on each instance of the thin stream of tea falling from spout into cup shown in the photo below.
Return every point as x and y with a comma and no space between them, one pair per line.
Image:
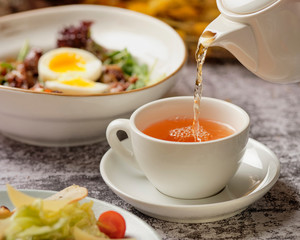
205,41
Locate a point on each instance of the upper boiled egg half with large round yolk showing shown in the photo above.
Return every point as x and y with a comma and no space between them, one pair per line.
60,62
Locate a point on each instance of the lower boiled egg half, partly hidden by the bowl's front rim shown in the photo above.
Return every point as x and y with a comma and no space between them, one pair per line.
76,86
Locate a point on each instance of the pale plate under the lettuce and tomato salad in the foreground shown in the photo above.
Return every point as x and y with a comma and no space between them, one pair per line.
135,227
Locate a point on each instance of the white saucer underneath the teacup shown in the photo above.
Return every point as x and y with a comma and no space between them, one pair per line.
258,172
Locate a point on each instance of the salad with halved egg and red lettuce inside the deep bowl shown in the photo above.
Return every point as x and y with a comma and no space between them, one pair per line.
77,65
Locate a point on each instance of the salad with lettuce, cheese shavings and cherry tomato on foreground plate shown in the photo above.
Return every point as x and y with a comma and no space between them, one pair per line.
59,217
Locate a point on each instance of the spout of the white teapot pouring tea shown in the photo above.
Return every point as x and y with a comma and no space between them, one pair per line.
236,37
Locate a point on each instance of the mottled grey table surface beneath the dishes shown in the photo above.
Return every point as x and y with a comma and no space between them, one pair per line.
275,121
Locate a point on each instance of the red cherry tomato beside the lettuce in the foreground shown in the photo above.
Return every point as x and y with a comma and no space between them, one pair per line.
112,224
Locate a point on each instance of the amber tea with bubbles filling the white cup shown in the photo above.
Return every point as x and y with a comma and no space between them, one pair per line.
182,130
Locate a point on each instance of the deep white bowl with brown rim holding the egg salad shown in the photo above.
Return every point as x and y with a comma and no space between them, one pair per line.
49,119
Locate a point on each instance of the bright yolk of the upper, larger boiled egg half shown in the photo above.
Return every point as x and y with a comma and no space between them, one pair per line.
65,62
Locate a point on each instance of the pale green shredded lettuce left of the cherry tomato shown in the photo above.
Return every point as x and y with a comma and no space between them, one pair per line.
32,222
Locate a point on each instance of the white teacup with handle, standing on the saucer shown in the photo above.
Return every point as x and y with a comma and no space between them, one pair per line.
180,169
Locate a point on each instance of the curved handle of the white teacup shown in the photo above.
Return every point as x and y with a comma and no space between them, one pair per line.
116,144
